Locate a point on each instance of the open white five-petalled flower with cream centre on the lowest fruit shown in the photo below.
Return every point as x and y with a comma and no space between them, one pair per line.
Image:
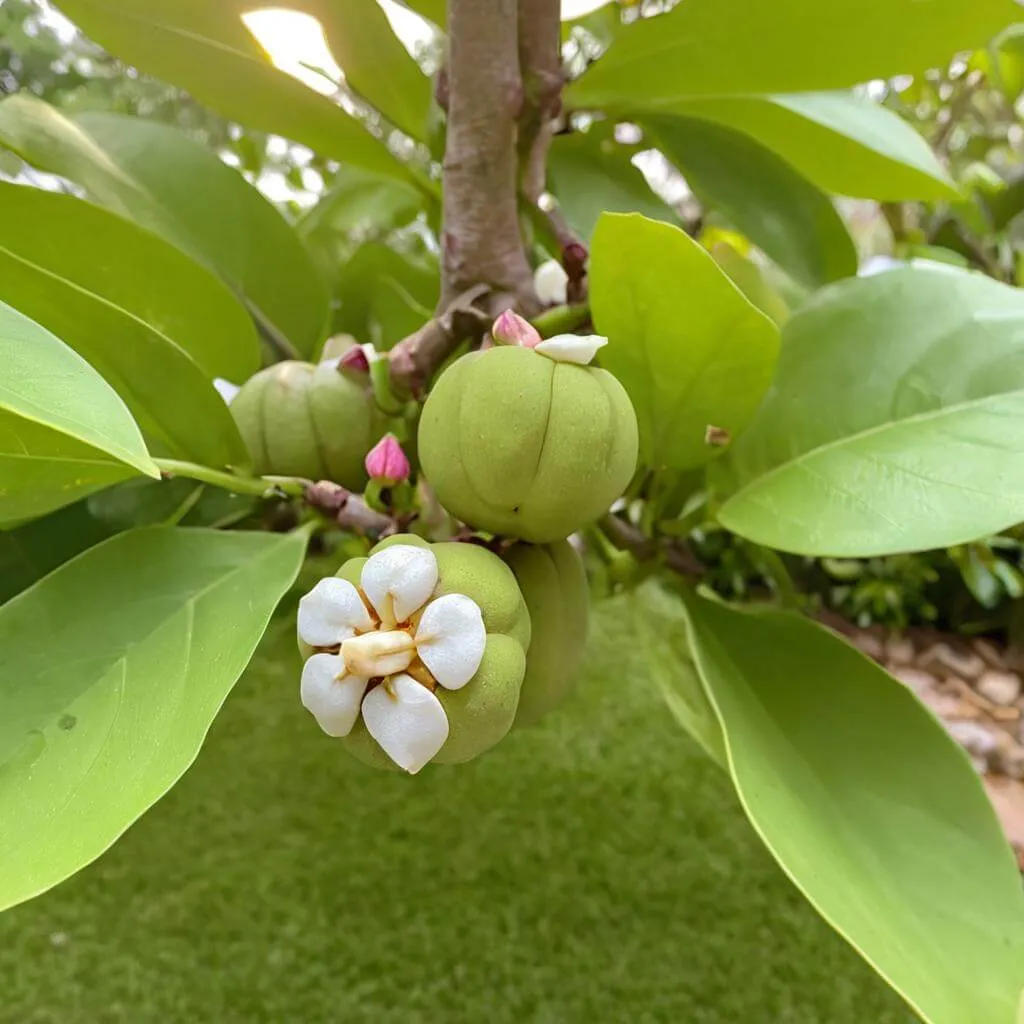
385,648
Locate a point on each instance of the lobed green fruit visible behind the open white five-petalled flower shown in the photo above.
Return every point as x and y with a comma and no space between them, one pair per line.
482,713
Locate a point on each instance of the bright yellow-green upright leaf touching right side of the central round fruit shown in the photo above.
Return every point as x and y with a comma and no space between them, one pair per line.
688,346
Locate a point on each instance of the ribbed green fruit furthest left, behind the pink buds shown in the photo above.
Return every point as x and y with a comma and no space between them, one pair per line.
304,420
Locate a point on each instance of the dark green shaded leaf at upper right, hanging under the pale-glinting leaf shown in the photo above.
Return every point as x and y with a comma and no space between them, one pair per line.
761,196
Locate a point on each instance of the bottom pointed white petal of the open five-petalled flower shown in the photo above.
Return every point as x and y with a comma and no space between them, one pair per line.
407,720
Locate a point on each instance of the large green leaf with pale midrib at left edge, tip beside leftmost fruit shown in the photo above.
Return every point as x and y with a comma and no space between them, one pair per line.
112,291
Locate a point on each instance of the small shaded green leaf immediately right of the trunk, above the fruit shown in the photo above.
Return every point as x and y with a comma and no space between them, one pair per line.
590,176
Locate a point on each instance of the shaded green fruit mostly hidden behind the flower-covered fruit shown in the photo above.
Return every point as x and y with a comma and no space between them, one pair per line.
554,585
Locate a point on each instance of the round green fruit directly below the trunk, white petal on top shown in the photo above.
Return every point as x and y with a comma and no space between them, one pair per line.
517,444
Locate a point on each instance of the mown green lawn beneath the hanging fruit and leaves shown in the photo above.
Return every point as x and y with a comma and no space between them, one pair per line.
595,870
